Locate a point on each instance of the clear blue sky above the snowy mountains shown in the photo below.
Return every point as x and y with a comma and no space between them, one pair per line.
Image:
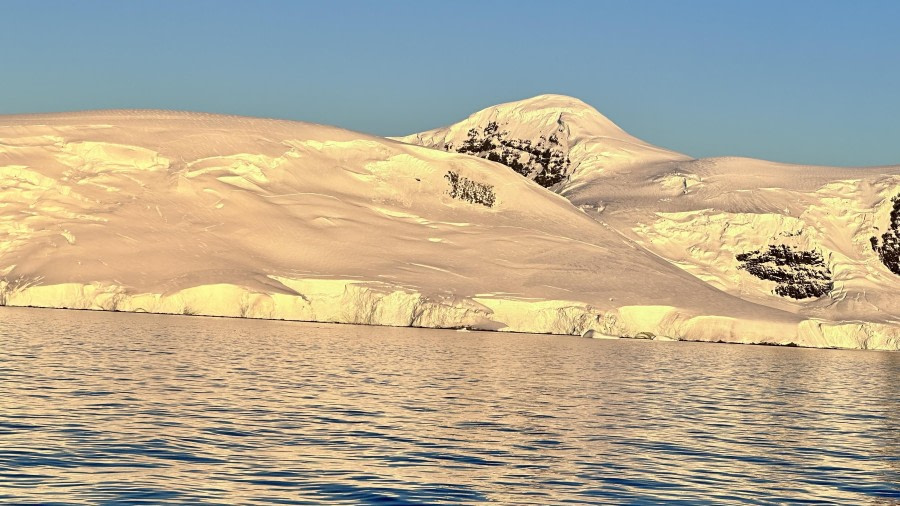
807,81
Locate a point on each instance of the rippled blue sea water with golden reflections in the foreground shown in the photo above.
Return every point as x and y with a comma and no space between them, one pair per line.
131,408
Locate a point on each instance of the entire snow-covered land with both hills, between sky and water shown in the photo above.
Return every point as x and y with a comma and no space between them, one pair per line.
534,216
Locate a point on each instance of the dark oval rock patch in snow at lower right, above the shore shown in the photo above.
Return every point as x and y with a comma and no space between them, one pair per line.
799,274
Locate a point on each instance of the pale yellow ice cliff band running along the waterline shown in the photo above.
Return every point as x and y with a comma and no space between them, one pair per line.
413,310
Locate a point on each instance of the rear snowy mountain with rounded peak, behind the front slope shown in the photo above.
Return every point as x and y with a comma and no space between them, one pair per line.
821,242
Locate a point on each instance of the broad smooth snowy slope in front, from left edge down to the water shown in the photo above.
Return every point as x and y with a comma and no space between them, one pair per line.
187,213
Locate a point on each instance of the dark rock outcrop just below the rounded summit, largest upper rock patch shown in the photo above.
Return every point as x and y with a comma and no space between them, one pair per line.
543,161
